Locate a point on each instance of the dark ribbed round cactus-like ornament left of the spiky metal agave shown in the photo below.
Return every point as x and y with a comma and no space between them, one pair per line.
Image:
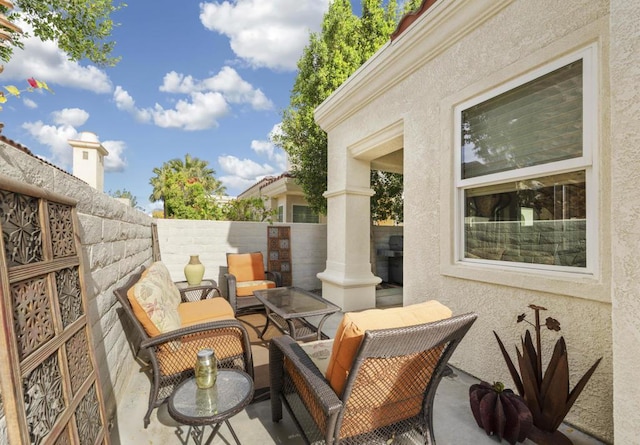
500,411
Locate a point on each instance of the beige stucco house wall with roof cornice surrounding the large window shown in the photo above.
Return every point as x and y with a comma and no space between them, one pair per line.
458,50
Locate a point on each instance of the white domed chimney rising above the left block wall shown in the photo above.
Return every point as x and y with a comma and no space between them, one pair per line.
88,159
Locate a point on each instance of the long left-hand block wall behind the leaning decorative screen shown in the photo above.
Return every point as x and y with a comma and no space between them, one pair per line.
116,240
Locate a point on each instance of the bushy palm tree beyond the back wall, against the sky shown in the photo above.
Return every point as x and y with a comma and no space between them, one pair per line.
177,179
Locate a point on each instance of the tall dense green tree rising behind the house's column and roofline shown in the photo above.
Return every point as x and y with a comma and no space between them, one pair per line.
331,56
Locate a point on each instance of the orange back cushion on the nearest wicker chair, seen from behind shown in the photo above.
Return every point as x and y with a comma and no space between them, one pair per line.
353,325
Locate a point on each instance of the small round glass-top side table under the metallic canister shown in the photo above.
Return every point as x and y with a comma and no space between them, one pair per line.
197,408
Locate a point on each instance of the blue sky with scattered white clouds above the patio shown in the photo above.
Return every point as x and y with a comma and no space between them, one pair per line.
206,78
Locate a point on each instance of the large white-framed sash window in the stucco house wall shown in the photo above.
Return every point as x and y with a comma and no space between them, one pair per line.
525,168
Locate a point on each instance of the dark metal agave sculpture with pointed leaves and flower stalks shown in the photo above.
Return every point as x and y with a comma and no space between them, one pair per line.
547,395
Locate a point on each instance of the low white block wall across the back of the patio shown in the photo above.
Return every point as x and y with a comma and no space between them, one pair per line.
211,240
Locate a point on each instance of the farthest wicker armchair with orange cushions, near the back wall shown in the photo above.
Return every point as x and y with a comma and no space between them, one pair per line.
246,273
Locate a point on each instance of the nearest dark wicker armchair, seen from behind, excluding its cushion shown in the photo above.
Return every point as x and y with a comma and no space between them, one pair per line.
389,391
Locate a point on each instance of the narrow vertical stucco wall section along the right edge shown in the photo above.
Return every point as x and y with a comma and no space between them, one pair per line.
625,214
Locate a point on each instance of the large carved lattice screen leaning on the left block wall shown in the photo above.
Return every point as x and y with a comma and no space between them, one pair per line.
49,385
